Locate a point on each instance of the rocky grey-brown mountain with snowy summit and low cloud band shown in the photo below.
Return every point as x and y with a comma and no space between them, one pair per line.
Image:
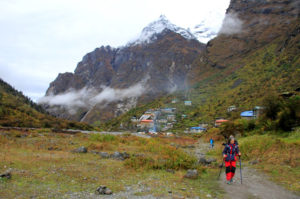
153,65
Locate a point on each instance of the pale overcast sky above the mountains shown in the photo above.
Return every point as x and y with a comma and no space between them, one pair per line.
41,38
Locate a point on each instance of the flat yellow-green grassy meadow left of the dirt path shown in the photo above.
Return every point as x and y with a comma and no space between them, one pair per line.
52,174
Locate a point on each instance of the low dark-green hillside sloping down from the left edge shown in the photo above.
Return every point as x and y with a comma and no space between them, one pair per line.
17,110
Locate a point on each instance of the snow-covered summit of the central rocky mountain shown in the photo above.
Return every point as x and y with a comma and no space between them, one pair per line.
149,33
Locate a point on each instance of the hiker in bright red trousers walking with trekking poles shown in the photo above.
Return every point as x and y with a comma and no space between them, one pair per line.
230,152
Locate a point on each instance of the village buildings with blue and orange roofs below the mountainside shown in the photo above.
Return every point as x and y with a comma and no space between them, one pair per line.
162,120
